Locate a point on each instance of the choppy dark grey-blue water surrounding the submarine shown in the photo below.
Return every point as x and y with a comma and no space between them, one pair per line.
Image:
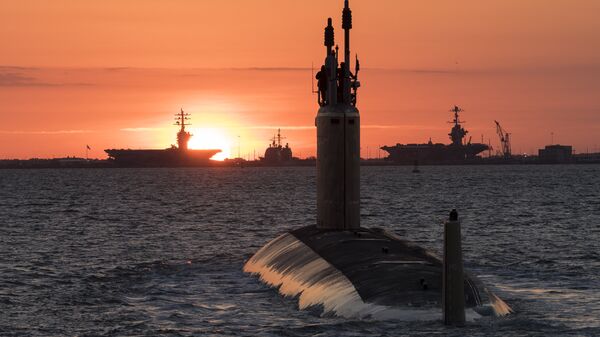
160,251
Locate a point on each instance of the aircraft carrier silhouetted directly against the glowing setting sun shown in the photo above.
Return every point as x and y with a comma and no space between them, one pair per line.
175,156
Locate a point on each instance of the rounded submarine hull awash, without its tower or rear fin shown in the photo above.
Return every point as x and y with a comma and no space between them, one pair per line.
365,273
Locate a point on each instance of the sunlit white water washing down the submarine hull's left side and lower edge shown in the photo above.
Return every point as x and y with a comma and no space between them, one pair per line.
316,282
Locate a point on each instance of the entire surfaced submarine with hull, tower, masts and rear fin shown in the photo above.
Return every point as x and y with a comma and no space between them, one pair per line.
349,271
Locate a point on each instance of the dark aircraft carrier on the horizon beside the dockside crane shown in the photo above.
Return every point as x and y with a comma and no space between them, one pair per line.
458,152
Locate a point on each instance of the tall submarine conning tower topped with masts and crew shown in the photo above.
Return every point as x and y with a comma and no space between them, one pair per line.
338,135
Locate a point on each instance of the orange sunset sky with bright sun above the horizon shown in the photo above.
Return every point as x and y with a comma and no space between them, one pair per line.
112,73
